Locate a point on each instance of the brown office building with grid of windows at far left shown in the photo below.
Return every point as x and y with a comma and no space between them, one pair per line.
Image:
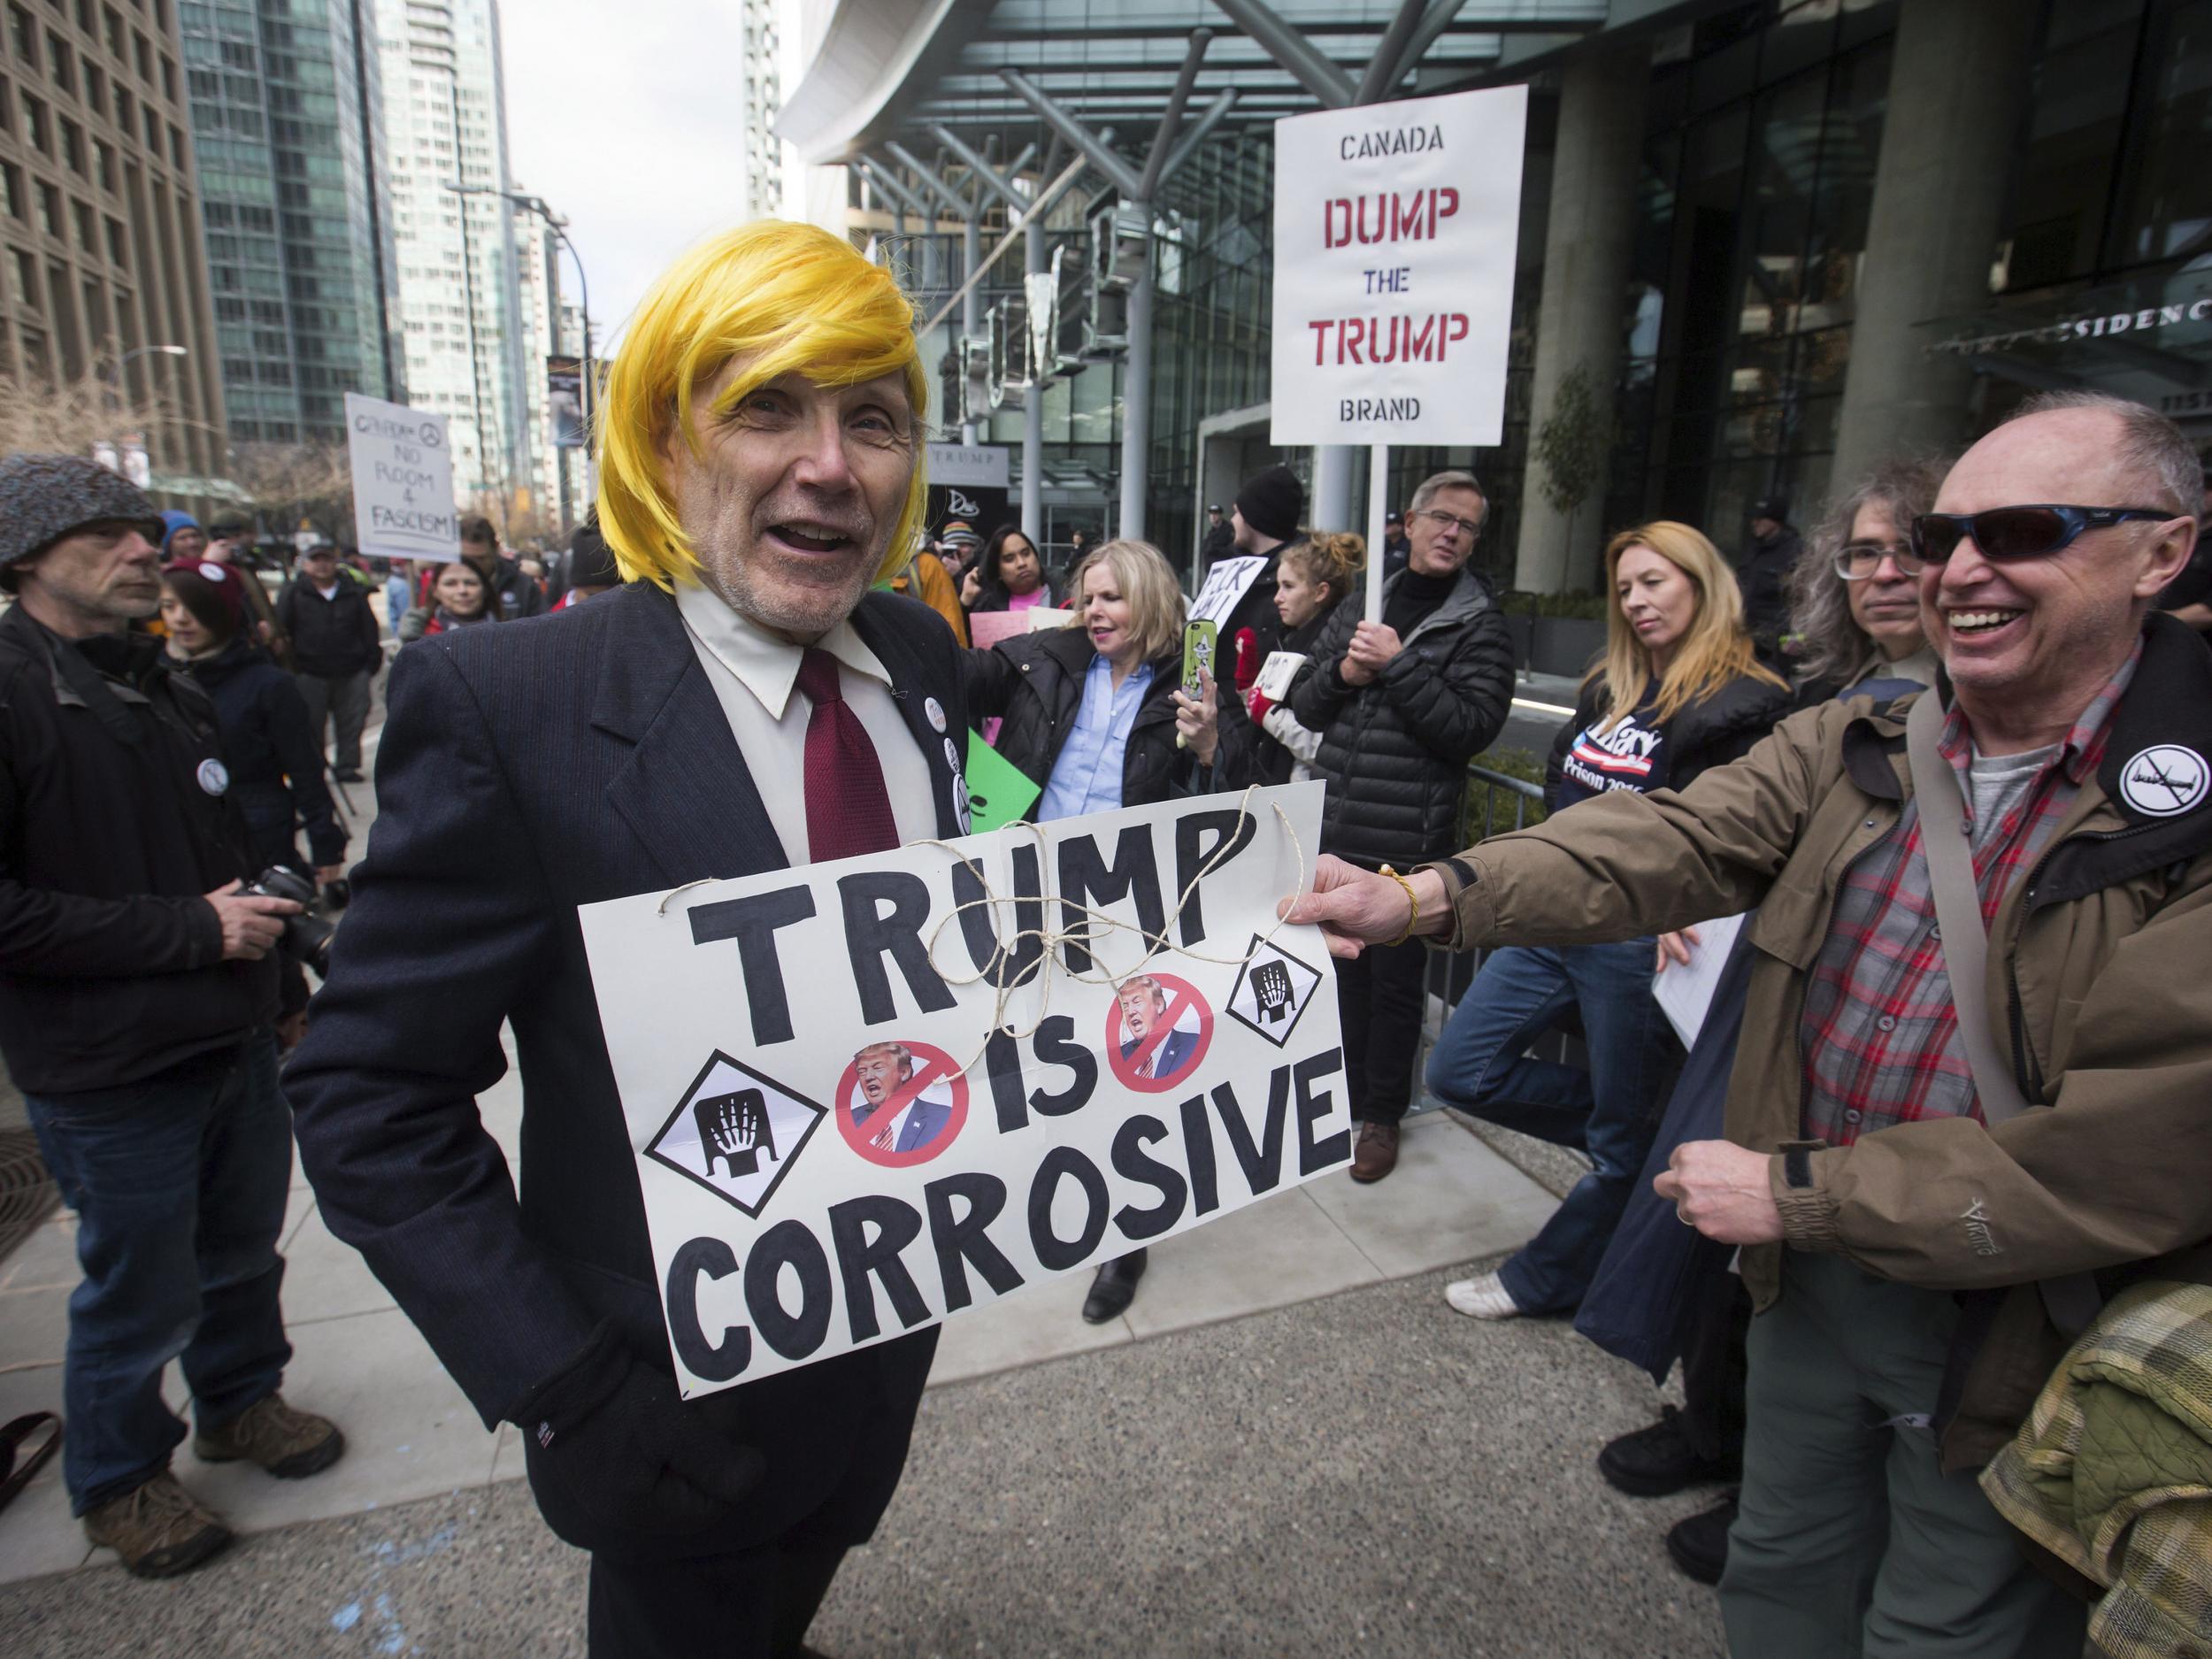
103,271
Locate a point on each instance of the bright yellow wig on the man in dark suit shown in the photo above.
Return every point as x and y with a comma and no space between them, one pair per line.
795,300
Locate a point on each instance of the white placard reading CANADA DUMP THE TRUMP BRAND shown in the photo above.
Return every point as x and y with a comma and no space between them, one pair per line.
1395,236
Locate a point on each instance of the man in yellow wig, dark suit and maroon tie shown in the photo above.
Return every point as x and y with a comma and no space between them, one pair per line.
747,702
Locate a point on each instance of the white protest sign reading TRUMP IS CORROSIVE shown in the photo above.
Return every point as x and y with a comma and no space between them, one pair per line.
1016,1083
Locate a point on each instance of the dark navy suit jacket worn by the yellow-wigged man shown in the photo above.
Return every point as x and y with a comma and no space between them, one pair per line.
525,771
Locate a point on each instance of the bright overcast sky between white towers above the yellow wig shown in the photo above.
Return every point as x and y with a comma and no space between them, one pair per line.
625,118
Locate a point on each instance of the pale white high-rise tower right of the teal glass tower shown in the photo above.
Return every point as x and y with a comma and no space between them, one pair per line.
457,238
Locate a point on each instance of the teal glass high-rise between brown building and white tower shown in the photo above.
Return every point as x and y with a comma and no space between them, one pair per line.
289,125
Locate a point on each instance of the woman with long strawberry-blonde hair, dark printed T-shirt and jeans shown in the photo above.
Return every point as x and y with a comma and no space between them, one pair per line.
1678,691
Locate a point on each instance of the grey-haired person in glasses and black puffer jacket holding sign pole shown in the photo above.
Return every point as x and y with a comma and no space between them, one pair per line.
1401,709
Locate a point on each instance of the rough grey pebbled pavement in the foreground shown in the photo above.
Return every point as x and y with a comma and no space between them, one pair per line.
1366,1474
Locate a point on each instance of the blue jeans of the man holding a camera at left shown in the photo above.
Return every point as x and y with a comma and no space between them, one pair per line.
180,1189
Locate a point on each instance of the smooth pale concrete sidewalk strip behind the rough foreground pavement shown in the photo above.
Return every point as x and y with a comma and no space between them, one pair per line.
413,1434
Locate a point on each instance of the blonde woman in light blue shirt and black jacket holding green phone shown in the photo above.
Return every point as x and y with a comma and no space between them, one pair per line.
1094,713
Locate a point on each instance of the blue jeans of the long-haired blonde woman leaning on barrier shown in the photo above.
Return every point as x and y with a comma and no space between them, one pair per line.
1607,1112
